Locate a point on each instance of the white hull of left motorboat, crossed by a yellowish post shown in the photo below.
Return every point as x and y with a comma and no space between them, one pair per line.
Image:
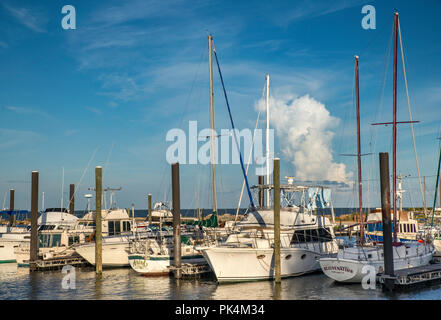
114,254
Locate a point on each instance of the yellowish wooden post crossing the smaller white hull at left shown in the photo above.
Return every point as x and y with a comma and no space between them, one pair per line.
98,221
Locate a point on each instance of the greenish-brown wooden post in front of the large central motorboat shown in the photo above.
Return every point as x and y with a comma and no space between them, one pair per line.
276,179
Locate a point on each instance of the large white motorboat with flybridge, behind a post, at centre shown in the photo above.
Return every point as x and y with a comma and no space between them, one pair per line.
249,254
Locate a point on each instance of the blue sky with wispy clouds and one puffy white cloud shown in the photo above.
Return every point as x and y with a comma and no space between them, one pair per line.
107,92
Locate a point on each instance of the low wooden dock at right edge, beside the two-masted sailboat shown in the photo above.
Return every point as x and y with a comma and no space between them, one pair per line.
407,278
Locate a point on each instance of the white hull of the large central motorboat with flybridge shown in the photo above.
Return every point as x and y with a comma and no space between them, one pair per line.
243,264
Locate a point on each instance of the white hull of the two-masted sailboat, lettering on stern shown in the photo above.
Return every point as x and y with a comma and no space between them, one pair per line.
351,270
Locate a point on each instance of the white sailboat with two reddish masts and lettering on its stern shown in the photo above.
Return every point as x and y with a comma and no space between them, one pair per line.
349,263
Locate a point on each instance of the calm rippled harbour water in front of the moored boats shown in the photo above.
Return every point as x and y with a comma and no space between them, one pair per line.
19,284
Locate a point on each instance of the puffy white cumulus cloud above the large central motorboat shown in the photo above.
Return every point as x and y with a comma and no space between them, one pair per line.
304,128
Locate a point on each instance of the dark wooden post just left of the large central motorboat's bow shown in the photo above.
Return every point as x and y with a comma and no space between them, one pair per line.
176,220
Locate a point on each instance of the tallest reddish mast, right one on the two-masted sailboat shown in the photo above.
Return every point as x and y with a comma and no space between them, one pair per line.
395,129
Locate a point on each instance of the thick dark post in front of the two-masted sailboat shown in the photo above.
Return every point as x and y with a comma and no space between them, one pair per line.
387,224
